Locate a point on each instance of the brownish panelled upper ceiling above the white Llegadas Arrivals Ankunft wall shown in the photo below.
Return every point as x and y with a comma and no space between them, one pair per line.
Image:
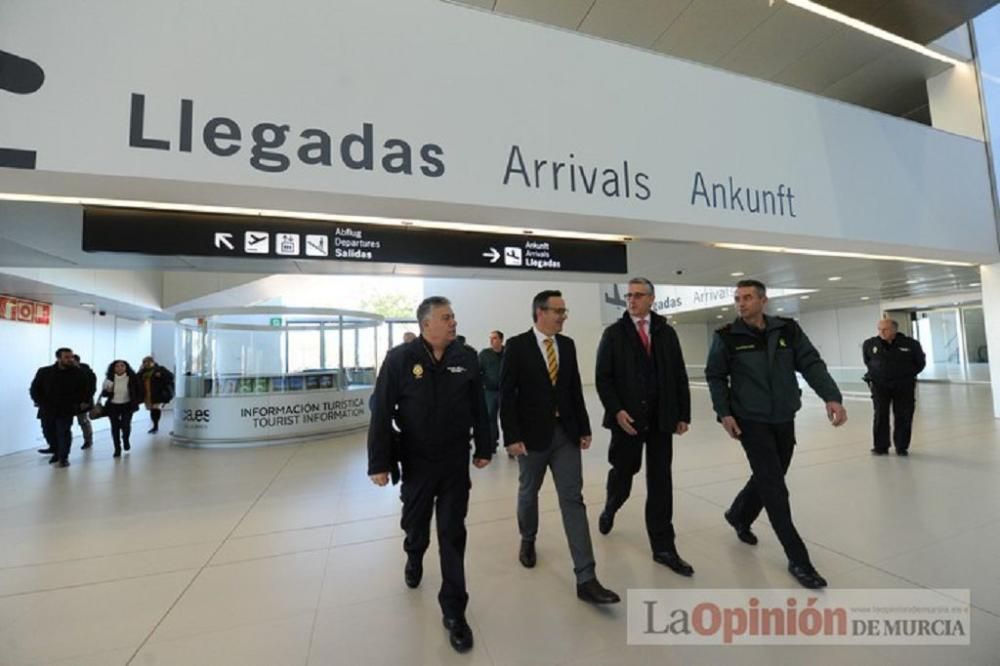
775,41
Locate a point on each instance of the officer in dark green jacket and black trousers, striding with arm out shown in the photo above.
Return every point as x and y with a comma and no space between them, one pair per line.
751,376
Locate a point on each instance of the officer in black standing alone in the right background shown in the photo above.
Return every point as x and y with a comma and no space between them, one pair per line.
893,360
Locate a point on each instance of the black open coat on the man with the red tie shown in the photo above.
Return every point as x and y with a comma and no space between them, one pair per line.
621,382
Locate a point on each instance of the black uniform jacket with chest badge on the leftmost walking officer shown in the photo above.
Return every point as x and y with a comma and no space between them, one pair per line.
438,407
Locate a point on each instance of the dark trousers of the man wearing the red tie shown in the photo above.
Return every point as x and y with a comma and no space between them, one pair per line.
625,456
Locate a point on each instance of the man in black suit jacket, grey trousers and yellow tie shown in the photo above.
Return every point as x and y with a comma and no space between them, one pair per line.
545,425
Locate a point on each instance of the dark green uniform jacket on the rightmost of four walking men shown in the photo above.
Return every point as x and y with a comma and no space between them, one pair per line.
751,374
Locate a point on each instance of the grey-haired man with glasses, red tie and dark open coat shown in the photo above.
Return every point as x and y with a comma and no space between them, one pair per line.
643,386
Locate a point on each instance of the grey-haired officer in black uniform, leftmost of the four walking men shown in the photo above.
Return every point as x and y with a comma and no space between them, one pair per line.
431,389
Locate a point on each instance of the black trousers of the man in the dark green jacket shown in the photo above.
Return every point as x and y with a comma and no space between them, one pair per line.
769,448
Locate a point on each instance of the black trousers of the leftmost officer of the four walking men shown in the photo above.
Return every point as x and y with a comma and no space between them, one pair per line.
444,487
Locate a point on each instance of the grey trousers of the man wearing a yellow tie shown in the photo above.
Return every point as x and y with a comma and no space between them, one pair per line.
563,458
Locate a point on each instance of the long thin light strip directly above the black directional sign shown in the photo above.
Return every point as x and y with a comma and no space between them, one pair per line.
300,215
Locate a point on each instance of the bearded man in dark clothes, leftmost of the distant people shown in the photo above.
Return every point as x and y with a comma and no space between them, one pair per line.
60,393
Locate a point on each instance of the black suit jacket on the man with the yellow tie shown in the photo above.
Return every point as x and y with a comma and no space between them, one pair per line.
528,401
